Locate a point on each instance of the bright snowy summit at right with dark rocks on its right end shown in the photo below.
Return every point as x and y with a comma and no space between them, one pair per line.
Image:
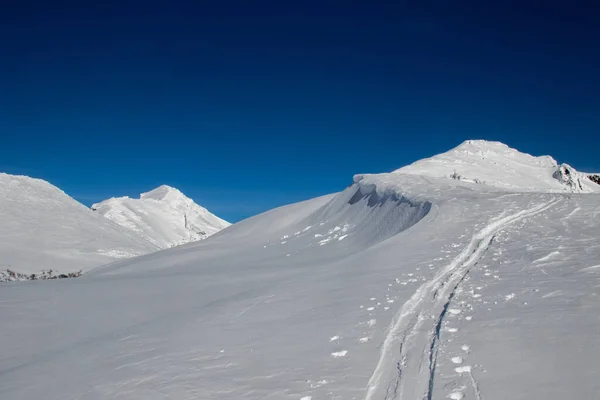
498,165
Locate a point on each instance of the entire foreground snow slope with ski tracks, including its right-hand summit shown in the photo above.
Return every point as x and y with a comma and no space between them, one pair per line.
404,285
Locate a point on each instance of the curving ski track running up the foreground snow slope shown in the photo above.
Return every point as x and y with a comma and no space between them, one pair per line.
405,352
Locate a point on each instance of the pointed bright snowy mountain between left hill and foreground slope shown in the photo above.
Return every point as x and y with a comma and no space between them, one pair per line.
163,216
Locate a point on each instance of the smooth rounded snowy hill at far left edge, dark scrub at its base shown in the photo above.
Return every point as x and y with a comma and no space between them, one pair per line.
43,228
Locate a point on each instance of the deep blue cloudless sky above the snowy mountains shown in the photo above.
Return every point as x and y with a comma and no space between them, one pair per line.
253,104
